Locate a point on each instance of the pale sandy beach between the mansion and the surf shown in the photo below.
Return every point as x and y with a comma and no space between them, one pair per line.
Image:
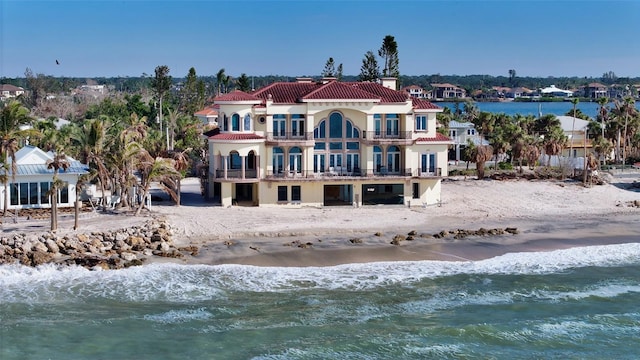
548,215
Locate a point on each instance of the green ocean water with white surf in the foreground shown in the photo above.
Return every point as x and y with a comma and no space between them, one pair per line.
580,303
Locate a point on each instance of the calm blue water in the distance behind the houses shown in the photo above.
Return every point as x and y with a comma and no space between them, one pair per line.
532,108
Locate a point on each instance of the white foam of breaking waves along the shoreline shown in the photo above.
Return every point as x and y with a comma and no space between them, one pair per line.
188,283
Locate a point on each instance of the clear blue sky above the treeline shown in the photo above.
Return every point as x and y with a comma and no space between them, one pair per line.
295,38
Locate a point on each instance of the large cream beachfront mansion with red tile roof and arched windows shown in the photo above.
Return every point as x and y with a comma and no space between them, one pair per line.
324,143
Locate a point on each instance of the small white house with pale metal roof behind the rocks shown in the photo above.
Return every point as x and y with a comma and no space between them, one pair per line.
33,180
